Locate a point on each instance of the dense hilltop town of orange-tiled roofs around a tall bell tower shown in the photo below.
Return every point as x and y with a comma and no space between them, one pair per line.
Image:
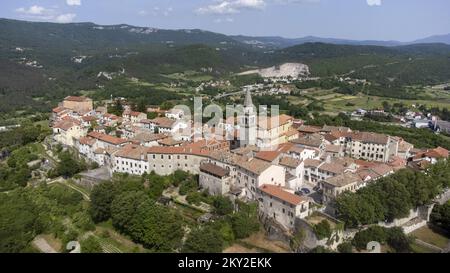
291,170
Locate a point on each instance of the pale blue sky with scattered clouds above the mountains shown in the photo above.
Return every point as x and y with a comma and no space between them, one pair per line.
403,20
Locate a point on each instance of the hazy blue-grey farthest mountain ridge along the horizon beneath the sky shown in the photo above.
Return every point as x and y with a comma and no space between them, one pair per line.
190,36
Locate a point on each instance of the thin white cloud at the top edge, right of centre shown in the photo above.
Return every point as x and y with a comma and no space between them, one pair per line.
231,6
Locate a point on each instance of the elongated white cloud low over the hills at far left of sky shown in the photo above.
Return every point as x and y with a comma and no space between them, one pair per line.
44,14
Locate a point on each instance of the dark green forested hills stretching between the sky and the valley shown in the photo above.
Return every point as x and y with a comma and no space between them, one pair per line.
43,62
